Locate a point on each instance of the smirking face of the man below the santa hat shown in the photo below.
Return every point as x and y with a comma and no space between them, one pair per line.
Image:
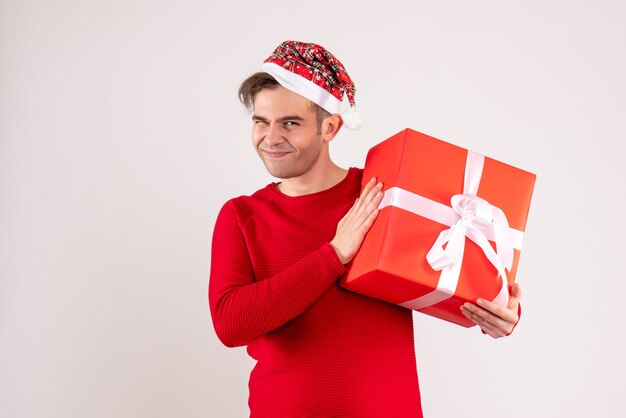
285,132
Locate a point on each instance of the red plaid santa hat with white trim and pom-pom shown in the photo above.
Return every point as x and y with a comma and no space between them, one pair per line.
314,73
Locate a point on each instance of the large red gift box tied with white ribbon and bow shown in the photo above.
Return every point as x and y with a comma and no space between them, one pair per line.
450,227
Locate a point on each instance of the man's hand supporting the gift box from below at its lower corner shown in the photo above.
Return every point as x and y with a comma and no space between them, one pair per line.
493,319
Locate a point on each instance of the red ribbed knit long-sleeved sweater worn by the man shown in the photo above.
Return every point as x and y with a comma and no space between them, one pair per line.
321,350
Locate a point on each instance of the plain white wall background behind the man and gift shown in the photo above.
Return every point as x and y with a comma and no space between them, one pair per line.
121,136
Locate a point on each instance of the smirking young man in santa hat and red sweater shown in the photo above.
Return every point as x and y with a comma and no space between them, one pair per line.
277,255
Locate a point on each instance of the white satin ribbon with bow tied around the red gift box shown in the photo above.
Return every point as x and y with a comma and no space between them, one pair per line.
468,216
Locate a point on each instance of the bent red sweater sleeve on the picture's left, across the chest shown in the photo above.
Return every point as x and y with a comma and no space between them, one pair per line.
243,309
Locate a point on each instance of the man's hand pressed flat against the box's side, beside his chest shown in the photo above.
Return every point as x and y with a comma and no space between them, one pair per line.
352,228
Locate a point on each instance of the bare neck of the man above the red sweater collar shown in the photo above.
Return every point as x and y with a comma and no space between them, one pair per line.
315,180
